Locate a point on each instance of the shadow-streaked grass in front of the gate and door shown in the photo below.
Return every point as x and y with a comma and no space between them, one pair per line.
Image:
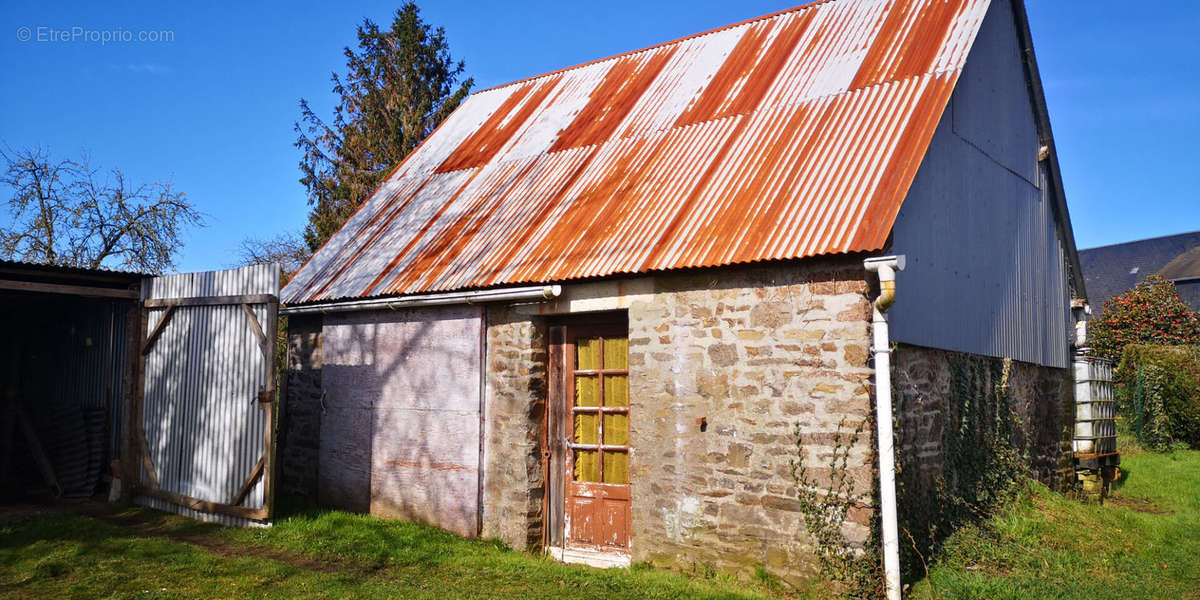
142,554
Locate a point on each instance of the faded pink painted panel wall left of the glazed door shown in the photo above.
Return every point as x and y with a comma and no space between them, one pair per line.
400,435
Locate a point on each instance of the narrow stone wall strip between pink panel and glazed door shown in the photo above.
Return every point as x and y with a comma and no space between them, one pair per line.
514,413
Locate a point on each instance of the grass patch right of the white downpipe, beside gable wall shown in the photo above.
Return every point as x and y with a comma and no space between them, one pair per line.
1144,543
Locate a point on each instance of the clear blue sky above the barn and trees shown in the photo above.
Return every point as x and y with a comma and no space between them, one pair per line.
213,110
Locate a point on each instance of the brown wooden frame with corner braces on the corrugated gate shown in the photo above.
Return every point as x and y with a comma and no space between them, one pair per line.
137,453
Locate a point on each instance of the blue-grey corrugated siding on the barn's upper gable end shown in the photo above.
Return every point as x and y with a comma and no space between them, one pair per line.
987,269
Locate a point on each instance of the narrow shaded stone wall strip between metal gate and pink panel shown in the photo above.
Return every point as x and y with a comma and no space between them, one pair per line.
299,428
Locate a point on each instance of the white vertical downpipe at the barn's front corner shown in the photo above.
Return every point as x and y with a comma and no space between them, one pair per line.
886,268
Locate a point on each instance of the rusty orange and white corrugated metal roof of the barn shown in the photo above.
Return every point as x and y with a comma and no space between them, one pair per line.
788,136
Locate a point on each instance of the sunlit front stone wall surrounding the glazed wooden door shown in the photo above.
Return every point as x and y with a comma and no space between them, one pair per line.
751,352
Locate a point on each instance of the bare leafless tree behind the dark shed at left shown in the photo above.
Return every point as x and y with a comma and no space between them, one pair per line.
65,213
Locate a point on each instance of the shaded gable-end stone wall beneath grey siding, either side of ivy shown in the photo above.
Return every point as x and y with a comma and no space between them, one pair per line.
1041,399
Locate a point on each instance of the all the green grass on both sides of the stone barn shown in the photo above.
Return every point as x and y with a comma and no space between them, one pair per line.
1143,544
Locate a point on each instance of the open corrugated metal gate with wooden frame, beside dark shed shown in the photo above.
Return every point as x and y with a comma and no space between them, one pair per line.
205,416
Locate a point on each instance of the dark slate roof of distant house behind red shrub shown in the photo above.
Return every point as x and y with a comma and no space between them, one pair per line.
1111,271
